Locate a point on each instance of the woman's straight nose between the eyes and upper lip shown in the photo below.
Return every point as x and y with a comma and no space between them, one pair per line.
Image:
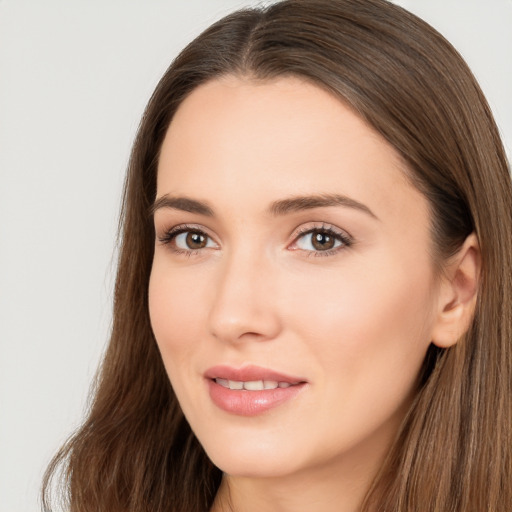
244,306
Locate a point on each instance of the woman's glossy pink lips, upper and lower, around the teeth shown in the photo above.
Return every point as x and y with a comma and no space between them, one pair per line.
250,403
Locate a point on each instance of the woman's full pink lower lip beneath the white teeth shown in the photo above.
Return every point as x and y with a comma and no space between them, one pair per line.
250,403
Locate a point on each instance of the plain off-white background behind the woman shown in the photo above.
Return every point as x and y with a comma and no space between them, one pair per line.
74,78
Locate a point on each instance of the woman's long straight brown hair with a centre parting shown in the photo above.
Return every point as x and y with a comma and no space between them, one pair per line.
135,450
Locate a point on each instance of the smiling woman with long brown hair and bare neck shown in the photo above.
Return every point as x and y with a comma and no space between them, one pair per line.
313,302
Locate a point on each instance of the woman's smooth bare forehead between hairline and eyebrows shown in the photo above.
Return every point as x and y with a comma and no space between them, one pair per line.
237,138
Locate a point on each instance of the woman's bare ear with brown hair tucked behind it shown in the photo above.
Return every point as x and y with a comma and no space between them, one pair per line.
458,294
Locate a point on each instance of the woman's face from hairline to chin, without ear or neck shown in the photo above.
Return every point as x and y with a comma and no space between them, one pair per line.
291,260
